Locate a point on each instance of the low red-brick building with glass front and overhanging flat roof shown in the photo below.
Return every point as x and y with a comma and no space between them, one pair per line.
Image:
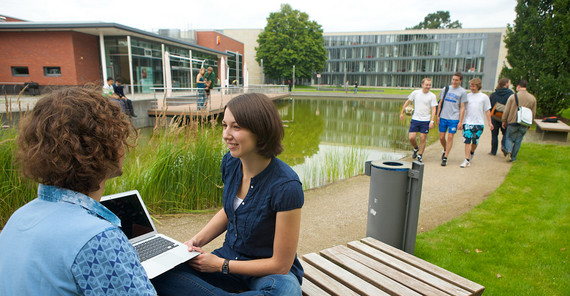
64,54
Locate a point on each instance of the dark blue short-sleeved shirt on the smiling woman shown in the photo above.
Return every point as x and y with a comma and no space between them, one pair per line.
251,228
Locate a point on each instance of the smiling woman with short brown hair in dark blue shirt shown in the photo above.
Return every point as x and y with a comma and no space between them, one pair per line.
261,214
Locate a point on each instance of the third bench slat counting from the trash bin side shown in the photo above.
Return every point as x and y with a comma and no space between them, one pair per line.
391,273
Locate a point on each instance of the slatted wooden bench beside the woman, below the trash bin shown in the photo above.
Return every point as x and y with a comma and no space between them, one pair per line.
370,267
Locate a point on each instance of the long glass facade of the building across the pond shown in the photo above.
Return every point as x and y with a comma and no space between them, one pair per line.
403,60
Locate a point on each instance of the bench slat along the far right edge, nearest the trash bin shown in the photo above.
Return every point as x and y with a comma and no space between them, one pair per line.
442,273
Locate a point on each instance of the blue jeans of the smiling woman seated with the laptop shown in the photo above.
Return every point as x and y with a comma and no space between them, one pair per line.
184,280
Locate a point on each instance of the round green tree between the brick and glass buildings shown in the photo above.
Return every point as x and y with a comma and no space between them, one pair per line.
291,39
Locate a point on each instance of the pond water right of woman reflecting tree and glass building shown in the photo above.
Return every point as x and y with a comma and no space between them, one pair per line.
323,130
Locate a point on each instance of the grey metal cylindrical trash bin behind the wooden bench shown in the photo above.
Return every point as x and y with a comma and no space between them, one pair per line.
394,202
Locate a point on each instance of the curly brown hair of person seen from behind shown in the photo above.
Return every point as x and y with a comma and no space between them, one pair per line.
74,138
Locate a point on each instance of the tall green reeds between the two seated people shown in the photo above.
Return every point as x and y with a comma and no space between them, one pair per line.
178,170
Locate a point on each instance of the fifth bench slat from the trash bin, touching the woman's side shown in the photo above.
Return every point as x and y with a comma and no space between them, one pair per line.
343,276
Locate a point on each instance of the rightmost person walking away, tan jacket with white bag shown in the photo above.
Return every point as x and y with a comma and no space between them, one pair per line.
515,131
